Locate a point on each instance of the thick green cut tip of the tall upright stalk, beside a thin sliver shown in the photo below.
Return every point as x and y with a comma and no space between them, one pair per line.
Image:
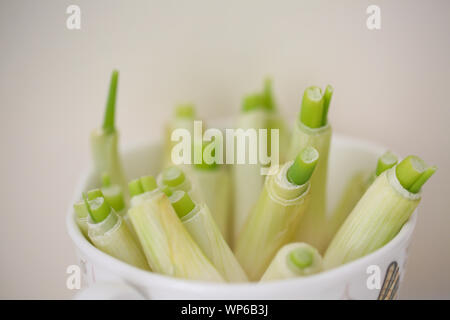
311,113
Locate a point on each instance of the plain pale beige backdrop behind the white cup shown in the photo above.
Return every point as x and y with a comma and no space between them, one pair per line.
391,86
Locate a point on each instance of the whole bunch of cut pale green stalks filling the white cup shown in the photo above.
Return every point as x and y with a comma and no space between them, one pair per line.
184,224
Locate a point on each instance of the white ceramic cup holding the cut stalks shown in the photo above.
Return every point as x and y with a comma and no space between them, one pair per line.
107,277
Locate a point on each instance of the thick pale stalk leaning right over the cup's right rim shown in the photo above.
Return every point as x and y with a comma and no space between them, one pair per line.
380,213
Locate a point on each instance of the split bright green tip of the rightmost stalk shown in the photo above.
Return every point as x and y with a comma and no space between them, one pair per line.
412,173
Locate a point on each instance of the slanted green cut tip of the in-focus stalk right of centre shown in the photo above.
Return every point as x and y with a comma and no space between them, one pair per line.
303,167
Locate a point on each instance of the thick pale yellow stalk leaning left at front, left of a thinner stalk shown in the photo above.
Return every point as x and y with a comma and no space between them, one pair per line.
168,246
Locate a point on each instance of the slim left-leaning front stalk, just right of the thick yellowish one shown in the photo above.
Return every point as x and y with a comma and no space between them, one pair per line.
200,224
